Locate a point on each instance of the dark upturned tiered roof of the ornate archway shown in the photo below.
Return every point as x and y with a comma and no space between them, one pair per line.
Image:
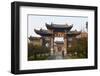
57,28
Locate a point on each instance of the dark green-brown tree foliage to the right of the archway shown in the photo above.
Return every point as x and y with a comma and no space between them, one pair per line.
81,48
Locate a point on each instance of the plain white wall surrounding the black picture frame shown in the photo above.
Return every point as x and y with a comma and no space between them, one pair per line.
5,41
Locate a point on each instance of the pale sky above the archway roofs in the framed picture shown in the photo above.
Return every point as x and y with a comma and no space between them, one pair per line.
38,22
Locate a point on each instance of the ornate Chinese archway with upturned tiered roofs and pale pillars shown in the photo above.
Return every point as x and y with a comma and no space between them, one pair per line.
56,30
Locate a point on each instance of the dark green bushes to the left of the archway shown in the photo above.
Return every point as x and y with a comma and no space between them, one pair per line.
34,51
